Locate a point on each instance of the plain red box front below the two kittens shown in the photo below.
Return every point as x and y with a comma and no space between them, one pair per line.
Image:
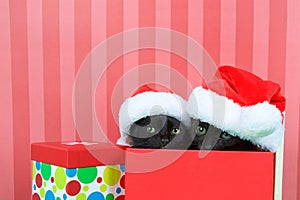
219,175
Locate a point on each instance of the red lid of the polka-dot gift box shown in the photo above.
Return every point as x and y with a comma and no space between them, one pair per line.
77,154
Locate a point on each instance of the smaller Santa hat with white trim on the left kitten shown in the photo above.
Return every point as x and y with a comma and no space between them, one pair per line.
147,101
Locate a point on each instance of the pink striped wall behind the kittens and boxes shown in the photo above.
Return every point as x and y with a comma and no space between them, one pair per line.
43,43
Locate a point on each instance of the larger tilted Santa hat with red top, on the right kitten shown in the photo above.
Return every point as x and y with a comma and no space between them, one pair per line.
241,104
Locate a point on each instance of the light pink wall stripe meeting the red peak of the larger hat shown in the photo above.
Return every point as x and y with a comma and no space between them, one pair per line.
227,32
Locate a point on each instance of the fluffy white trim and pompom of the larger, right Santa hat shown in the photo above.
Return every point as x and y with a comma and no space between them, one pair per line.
260,123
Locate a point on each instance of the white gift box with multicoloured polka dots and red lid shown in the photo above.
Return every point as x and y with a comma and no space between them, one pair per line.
63,171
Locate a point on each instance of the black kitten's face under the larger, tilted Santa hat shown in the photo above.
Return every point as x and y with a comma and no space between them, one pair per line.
208,137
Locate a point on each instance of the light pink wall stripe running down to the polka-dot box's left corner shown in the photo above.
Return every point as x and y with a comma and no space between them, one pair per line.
35,67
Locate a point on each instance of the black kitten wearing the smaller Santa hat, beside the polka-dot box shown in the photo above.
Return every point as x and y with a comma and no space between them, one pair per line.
159,131
